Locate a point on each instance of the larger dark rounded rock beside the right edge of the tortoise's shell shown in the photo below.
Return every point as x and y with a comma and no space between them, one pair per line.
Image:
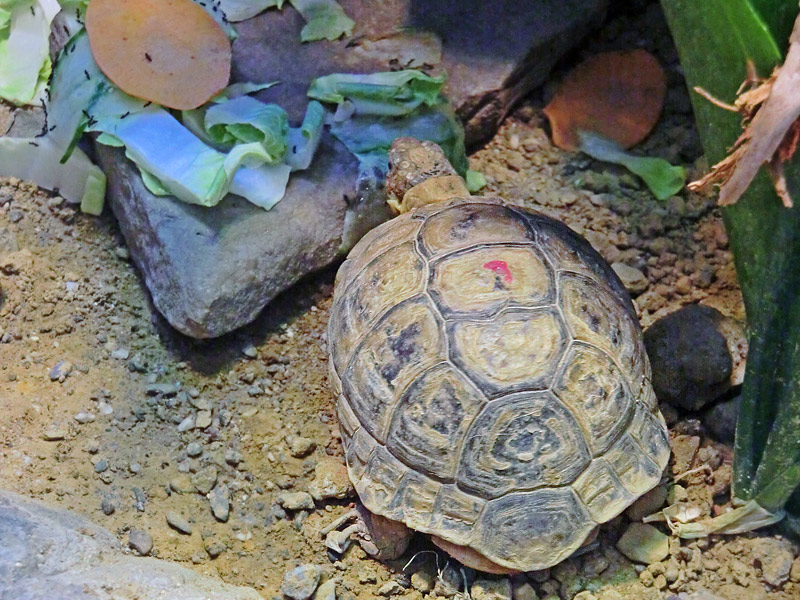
690,357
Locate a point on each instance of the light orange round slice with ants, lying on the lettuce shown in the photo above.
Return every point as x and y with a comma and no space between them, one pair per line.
170,52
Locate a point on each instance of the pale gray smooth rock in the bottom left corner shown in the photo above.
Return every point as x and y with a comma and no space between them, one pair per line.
52,554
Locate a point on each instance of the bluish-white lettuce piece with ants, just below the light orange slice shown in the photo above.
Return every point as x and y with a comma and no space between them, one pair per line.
174,159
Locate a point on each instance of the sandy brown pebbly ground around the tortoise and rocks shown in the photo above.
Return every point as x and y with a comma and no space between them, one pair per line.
136,418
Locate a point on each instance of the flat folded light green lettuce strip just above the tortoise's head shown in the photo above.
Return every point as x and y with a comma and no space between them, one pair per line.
389,93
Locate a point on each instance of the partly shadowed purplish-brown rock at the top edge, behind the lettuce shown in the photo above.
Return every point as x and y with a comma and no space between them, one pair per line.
494,51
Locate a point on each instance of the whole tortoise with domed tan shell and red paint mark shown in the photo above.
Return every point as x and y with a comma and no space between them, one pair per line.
492,385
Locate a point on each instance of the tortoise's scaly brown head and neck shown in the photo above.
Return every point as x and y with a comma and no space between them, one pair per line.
419,174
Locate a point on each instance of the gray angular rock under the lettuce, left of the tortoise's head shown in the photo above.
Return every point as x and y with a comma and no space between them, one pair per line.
212,270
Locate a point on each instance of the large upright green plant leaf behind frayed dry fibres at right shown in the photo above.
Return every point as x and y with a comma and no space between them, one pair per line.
715,39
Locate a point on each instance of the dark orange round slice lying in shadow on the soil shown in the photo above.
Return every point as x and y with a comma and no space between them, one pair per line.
617,95
